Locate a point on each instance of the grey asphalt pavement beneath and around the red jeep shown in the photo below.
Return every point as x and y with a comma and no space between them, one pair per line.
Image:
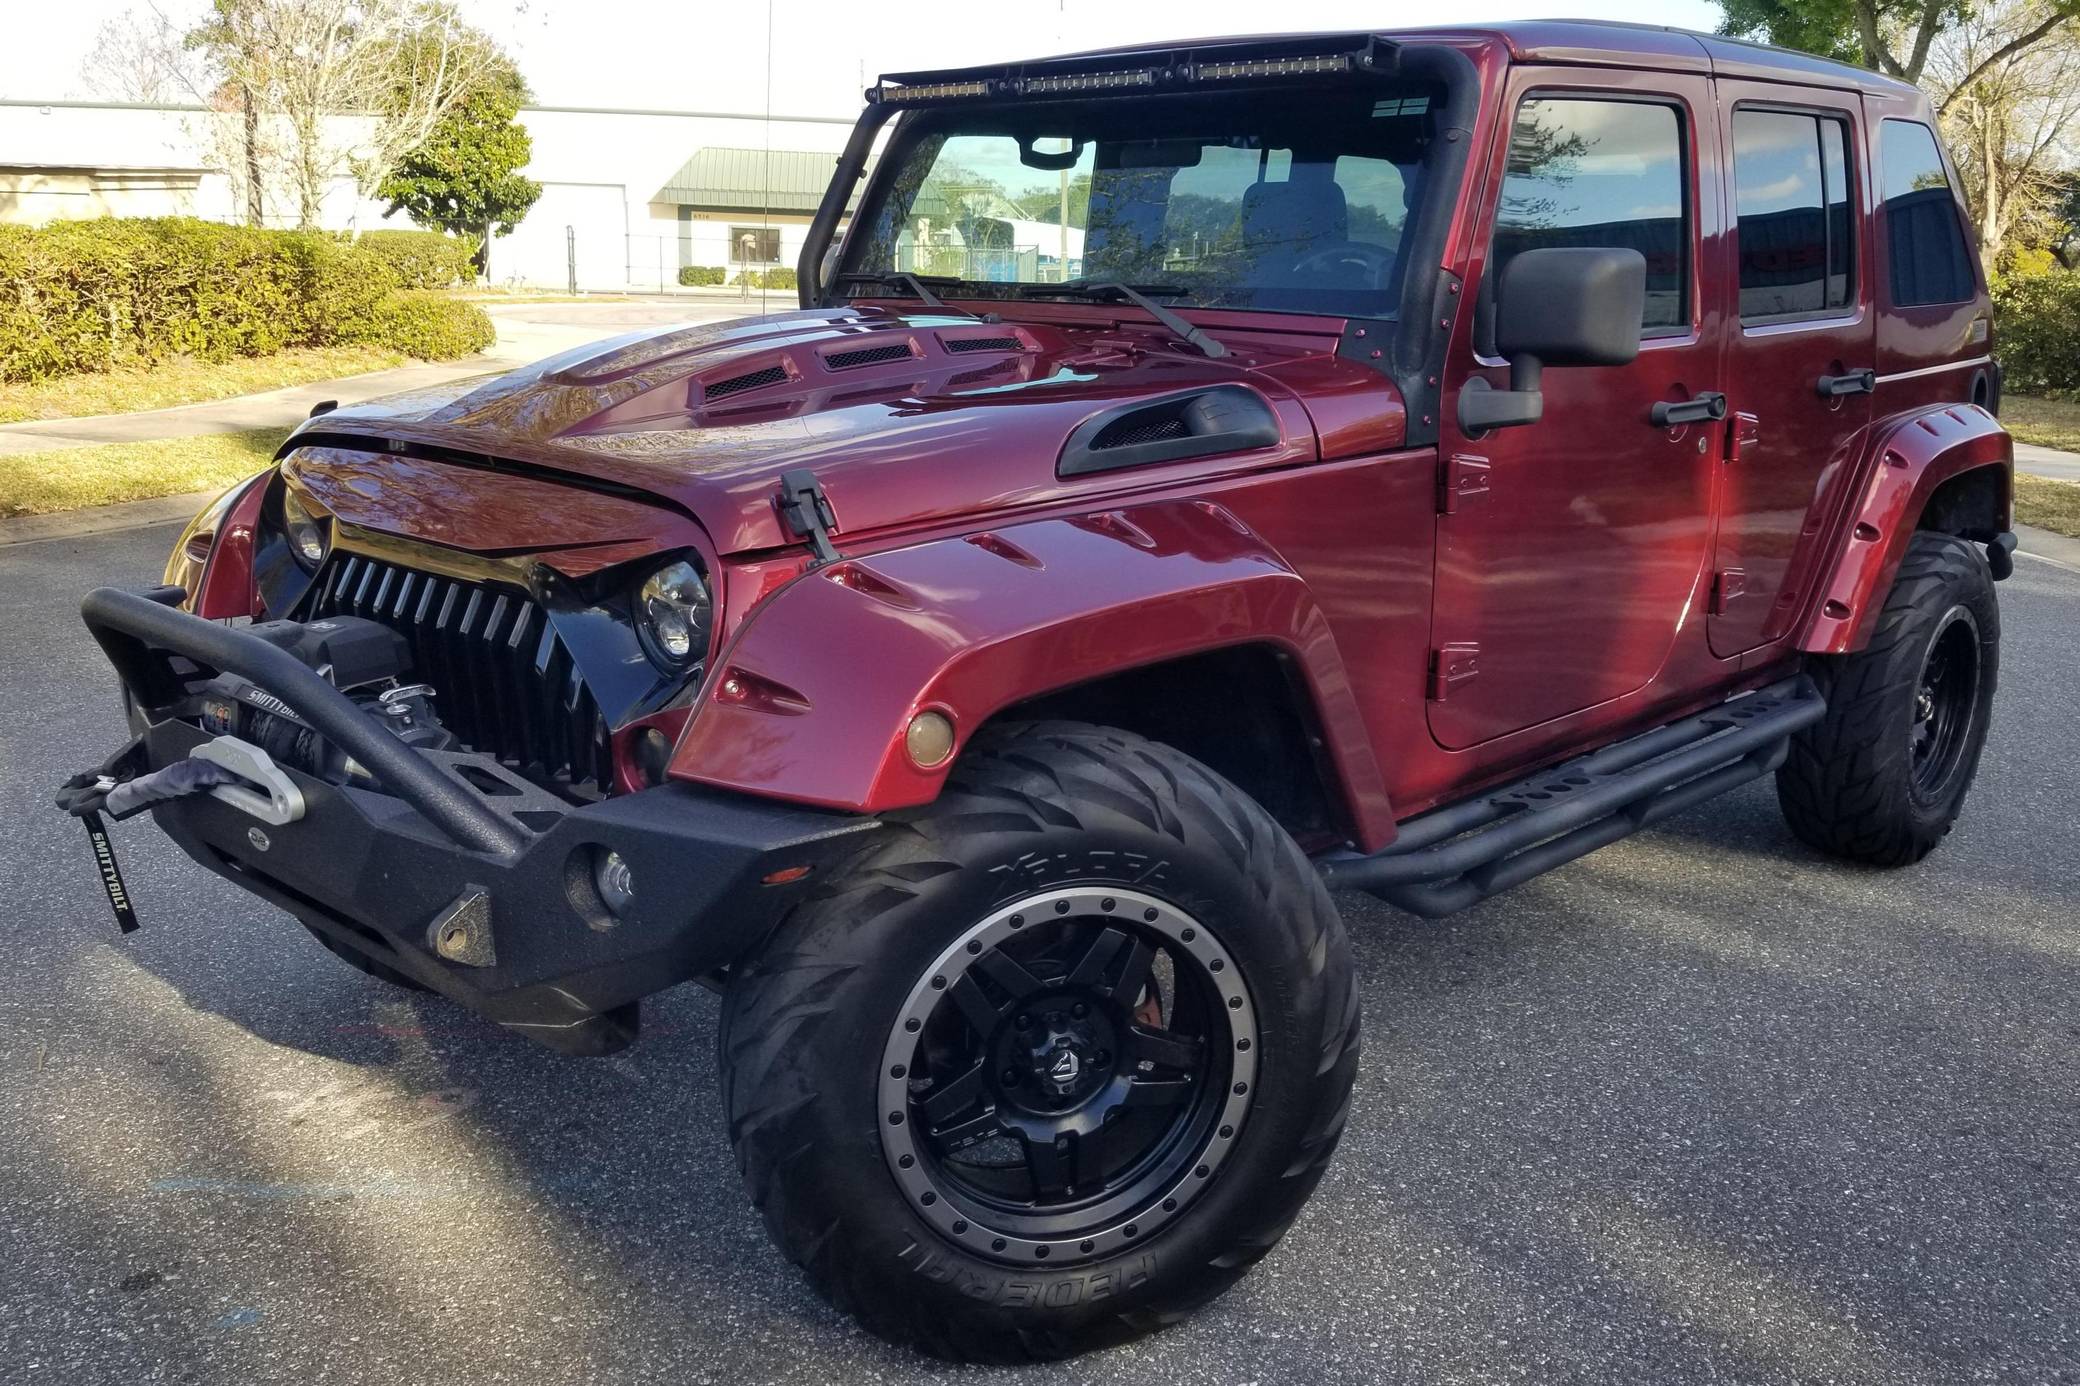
1700,1108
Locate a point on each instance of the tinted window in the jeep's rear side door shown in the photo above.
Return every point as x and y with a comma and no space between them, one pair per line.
1792,197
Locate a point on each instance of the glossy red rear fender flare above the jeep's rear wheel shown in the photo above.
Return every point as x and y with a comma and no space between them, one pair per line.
1913,457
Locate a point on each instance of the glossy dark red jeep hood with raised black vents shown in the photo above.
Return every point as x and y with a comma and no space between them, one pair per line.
904,419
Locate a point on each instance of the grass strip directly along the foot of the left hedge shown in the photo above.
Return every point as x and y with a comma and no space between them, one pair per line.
184,382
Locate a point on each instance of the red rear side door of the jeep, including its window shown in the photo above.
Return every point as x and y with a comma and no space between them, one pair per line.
1800,359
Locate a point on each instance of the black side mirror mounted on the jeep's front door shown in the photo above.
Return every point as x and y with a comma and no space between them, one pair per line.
1557,307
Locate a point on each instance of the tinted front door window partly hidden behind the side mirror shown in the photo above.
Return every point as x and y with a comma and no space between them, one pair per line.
1601,174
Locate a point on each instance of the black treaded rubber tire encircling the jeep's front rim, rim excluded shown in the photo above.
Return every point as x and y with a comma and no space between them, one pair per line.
1035,811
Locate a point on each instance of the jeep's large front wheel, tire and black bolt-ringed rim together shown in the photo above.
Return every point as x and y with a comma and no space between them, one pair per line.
1056,1062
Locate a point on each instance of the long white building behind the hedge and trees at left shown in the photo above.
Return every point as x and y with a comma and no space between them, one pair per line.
629,197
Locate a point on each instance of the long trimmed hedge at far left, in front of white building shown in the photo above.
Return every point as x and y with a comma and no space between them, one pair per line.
99,294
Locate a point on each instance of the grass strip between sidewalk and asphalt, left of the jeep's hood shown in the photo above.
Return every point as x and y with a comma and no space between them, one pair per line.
74,478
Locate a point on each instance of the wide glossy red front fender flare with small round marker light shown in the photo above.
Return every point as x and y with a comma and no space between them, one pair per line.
814,696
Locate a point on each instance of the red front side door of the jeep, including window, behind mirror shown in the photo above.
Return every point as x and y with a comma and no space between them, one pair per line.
1569,550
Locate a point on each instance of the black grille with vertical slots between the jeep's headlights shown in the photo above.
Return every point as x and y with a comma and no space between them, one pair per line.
504,684
